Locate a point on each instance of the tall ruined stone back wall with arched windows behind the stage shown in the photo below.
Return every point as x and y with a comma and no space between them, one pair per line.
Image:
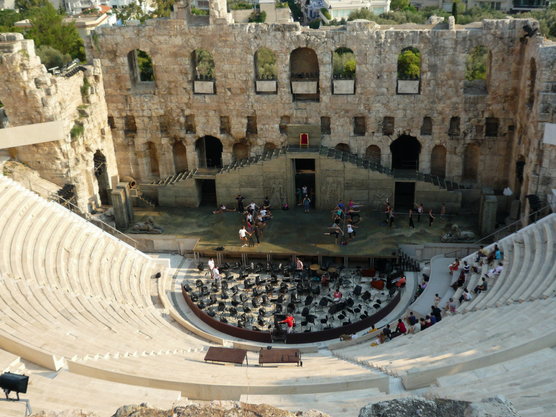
162,111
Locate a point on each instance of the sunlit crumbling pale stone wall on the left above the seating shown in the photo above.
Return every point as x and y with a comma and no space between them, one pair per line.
31,95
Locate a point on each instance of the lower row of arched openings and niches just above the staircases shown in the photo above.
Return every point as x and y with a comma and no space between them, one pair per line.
405,152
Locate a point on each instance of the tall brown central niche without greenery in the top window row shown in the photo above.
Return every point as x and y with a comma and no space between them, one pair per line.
304,69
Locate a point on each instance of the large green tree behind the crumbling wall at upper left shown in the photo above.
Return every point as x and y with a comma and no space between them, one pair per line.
48,28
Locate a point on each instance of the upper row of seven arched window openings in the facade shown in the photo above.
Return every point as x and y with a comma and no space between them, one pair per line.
305,61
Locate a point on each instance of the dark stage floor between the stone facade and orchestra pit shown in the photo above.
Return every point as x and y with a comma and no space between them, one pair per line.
291,232
